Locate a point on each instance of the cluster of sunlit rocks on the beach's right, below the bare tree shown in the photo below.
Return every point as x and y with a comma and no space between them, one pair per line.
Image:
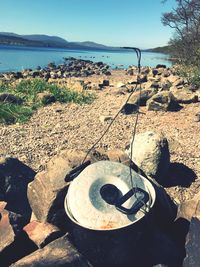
161,90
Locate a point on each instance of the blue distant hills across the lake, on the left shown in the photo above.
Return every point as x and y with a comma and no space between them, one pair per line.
40,40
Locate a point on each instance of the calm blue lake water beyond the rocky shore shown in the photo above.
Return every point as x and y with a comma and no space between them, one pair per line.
19,58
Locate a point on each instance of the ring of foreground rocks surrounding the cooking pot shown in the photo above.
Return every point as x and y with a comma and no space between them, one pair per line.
35,230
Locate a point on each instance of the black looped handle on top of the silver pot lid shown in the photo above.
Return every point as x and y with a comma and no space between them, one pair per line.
141,200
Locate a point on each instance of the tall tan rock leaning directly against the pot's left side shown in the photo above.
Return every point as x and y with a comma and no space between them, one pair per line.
47,192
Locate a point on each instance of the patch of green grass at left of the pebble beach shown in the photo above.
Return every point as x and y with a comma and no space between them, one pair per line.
28,91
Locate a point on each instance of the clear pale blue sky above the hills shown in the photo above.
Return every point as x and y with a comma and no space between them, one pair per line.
110,22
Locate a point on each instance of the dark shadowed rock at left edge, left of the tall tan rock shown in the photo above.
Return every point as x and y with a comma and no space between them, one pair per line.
14,179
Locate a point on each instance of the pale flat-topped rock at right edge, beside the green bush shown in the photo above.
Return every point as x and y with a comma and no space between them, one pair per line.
184,96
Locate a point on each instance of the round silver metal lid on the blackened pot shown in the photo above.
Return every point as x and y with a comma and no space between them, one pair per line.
93,196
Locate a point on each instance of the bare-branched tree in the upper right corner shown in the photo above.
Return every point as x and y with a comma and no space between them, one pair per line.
185,20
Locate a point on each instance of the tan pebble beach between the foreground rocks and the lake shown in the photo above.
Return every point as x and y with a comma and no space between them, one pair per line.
57,127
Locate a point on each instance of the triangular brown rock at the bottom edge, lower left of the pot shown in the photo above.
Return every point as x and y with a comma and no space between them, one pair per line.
58,253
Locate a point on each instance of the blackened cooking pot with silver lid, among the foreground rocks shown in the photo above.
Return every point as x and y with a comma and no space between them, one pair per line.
110,207
